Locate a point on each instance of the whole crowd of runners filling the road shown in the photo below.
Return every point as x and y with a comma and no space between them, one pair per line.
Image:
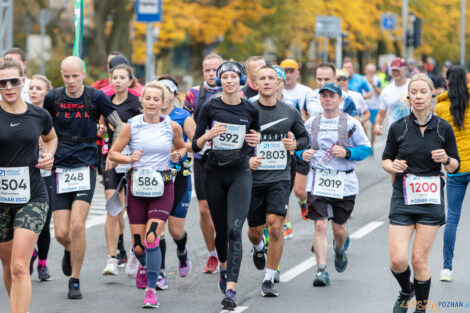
254,132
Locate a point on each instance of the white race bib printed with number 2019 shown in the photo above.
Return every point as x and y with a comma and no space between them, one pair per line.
329,183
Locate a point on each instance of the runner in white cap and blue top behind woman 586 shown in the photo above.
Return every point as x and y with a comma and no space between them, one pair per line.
183,187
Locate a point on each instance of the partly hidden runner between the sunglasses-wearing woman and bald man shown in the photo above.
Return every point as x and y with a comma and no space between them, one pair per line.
38,88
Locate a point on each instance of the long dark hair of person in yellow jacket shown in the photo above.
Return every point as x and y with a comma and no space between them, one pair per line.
458,94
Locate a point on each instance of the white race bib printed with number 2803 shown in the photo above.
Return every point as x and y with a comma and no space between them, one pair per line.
274,153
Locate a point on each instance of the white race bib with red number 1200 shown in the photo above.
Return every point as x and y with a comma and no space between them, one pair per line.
421,189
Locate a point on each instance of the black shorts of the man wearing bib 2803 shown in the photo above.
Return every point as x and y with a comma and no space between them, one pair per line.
268,199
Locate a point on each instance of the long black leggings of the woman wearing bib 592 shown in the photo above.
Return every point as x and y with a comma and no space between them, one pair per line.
228,193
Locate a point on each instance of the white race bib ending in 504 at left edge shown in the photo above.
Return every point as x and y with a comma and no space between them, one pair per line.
14,185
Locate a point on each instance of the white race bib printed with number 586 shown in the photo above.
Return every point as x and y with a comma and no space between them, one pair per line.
148,183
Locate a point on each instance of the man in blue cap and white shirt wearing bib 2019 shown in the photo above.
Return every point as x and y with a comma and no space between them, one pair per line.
338,141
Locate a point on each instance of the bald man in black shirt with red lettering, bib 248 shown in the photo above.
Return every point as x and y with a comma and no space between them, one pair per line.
75,110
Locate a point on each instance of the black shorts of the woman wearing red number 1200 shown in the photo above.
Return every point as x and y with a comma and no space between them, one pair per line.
427,214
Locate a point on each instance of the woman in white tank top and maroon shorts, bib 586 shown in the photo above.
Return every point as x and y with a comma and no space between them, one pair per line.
150,137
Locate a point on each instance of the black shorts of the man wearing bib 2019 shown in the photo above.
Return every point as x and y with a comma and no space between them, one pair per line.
338,210
